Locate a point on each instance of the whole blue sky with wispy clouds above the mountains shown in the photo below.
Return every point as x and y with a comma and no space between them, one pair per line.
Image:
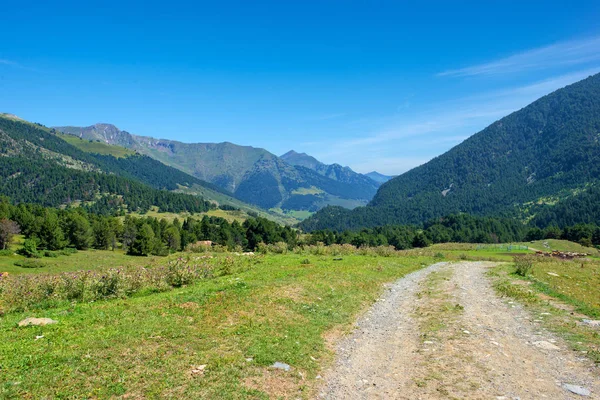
376,85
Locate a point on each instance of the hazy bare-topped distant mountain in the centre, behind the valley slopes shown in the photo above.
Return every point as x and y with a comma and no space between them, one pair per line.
252,174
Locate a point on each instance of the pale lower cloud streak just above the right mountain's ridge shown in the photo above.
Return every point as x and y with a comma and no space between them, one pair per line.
408,141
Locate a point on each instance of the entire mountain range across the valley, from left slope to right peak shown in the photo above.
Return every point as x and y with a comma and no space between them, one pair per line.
540,164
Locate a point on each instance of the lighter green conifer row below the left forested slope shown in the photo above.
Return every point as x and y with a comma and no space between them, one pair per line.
55,229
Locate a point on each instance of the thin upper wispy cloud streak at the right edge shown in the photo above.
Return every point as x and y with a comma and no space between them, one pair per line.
557,55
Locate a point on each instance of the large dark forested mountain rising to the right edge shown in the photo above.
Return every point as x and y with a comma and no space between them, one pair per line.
547,152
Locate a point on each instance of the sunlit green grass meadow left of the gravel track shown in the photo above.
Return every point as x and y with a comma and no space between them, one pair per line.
277,309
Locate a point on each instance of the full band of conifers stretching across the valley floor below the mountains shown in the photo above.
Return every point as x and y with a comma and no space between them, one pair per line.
51,229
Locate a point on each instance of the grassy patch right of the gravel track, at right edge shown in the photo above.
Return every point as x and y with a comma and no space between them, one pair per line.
562,294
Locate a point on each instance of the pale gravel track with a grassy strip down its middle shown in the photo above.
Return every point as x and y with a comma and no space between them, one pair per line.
442,332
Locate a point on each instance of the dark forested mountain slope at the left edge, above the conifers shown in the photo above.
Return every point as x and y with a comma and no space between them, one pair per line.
38,166
